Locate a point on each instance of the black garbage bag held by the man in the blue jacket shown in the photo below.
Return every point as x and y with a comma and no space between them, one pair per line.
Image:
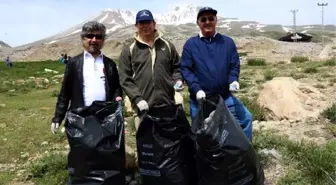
224,155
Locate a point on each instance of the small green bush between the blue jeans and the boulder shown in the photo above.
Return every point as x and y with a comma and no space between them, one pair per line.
258,113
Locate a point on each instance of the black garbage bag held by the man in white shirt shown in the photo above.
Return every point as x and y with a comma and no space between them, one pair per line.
97,144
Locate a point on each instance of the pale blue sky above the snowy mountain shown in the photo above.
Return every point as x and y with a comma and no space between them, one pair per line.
24,21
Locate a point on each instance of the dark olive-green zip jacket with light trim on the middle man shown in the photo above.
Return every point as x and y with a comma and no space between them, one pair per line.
149,73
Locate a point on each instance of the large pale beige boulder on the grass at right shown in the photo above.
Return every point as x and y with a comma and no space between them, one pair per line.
287,99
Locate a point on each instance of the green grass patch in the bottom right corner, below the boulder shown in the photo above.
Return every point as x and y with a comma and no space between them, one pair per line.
313,164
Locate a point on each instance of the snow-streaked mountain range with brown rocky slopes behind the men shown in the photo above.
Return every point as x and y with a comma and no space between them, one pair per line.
176,25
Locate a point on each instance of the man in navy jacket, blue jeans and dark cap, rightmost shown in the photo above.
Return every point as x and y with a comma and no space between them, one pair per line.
210,65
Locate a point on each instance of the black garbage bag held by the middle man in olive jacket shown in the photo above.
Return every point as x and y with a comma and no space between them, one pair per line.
165,149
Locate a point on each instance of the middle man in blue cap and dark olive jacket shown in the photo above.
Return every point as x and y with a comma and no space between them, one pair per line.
149,68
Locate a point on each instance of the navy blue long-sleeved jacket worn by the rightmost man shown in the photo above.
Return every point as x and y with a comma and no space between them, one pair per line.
210,64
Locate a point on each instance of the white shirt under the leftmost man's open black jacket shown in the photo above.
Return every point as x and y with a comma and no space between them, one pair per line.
93,79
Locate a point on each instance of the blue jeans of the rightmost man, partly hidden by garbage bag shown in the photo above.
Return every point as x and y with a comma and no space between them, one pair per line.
238,110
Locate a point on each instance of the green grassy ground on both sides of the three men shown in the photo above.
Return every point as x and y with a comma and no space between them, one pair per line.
27,145
